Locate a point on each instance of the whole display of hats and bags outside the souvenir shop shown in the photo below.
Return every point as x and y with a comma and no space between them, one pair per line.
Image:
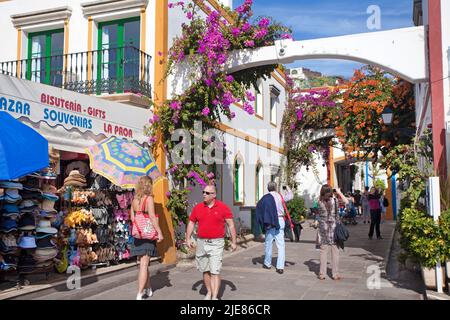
44,229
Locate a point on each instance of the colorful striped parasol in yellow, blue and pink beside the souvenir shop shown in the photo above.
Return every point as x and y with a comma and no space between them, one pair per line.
122,162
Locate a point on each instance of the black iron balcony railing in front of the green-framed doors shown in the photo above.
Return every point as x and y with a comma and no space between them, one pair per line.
112,70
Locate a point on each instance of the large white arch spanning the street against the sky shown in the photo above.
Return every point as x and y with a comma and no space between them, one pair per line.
401,52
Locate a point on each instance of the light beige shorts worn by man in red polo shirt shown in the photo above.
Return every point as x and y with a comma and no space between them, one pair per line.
209,255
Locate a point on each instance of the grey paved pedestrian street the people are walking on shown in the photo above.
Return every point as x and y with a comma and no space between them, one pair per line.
244,278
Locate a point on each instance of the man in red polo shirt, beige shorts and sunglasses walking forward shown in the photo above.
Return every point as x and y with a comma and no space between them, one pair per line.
211,216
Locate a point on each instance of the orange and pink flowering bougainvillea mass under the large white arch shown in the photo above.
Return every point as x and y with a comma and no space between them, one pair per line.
355,114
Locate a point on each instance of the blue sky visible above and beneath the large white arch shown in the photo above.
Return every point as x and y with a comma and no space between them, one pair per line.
327,18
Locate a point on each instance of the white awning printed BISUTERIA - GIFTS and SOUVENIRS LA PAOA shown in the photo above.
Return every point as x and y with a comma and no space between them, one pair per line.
71,110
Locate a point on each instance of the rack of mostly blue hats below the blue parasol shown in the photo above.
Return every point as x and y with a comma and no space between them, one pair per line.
27,211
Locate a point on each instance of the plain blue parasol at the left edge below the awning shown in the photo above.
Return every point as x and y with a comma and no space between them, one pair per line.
22,149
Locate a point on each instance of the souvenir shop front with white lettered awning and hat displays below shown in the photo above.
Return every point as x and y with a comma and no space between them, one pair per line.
65,214
